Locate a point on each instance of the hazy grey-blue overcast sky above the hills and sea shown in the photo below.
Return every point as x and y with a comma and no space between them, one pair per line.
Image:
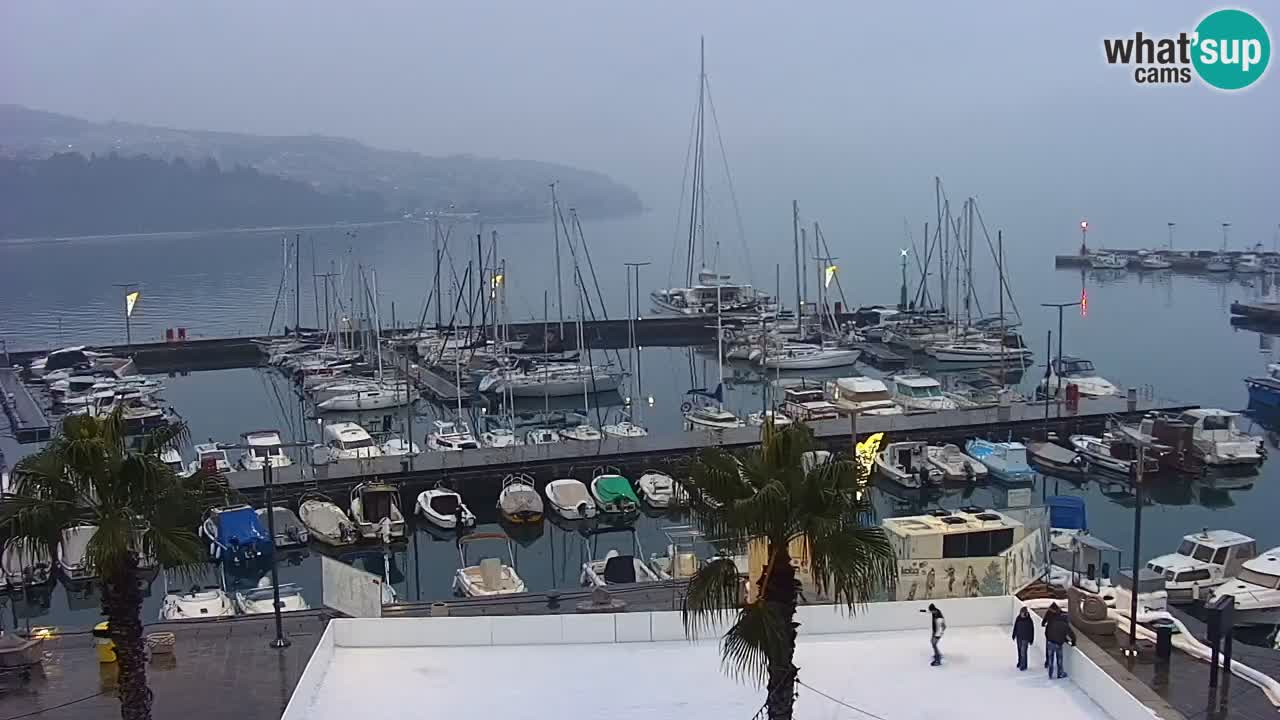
852,108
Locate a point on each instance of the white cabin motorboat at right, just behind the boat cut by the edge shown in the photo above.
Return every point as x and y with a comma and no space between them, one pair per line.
1204,562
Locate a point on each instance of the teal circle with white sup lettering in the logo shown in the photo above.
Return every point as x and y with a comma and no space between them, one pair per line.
1232,49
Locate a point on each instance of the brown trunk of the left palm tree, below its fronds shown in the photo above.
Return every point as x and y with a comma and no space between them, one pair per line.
122,604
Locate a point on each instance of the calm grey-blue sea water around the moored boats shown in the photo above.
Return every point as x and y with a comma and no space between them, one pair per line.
1167,334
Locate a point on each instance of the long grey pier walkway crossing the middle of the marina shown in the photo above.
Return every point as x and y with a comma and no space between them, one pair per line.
490,466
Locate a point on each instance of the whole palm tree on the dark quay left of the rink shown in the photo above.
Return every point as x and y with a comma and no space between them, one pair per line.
92,476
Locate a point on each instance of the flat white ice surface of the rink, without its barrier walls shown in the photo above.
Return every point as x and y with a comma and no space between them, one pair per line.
886,675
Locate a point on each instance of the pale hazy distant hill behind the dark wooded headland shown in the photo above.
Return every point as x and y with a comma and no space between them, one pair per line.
406,183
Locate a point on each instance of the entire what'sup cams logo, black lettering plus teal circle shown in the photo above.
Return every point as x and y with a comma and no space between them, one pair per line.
1229,51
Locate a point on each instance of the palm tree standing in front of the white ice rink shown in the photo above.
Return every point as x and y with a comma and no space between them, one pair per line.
781,494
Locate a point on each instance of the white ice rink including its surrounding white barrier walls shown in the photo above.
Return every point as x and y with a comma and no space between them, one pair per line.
633,666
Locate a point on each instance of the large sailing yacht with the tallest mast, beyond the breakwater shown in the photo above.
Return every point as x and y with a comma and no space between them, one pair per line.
707,291
